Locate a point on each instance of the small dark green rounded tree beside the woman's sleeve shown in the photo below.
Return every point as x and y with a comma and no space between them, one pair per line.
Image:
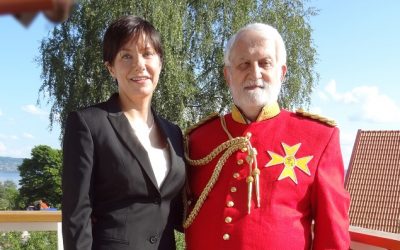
41,176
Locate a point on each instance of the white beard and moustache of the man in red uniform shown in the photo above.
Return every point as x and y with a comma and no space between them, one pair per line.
256,98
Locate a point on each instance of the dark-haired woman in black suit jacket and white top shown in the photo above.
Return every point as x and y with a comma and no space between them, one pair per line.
123,167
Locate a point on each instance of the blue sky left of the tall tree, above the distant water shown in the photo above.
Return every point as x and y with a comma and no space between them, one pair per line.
23,123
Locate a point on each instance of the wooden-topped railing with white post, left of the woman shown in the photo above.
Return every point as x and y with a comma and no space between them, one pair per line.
32,221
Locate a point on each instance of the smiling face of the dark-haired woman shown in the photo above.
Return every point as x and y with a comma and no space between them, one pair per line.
137,68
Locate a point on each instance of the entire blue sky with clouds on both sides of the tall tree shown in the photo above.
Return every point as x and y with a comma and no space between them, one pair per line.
357,44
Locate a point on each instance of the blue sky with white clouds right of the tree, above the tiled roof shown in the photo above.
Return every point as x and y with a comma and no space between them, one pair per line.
358,46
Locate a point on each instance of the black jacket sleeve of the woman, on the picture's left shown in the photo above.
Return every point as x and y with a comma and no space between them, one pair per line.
76,178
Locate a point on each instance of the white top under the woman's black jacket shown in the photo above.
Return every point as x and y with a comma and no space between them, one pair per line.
159,157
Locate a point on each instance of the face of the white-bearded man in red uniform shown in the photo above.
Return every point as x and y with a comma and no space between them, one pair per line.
254,76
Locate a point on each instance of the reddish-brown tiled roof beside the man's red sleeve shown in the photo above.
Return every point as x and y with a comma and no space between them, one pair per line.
373,181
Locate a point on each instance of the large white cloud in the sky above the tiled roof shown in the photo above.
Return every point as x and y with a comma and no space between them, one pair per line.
368,103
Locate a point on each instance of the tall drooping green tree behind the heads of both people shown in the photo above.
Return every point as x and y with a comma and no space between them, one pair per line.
194,34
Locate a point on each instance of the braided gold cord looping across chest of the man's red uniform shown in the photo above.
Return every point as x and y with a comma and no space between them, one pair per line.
231,146
